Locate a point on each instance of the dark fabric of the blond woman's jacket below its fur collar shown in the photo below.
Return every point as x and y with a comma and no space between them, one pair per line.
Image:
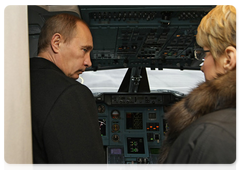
211,143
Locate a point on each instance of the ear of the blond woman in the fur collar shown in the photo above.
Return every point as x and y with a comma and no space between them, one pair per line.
231,58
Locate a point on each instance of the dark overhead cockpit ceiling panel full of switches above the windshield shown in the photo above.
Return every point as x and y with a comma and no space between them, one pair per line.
145,33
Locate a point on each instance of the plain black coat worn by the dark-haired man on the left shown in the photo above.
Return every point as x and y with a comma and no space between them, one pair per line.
65,126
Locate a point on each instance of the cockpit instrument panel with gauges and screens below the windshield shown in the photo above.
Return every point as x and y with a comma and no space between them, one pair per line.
133,127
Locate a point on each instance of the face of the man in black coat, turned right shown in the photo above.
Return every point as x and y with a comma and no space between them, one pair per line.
75,54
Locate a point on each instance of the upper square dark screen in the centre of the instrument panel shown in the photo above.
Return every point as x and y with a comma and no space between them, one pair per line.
134,120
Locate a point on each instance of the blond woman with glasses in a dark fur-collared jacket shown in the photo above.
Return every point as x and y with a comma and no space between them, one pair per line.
204,127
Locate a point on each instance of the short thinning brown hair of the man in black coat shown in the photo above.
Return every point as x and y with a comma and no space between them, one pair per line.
64,24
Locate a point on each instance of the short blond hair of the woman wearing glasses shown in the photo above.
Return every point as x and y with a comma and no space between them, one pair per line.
220,28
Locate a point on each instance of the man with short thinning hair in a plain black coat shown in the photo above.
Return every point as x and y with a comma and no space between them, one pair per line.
65,127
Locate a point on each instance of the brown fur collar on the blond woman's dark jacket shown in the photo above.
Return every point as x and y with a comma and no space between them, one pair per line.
220,93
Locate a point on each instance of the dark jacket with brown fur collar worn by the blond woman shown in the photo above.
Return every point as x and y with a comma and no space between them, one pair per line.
204,127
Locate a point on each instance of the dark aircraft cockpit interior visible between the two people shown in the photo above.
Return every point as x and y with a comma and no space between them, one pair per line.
137,38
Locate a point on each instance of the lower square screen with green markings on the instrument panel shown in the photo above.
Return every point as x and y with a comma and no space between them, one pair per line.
135,145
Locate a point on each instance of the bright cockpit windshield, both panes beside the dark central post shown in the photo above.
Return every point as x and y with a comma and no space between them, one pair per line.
159,80
